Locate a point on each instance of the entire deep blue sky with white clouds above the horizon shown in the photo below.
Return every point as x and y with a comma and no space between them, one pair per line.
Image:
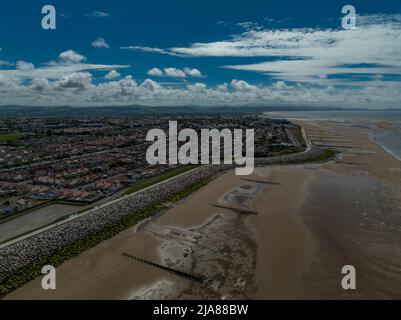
201,52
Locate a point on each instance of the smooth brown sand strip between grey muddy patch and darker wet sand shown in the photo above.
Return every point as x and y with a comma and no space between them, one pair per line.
284,244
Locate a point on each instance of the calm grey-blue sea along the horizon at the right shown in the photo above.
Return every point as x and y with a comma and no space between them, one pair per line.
390,139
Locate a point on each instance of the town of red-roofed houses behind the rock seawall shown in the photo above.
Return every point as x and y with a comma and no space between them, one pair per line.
85,160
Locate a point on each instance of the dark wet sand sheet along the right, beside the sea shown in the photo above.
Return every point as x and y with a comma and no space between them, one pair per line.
353,211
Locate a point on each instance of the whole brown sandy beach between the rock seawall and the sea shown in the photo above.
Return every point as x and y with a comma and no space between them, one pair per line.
311,220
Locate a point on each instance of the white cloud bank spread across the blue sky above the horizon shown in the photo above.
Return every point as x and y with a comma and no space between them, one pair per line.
304,66
